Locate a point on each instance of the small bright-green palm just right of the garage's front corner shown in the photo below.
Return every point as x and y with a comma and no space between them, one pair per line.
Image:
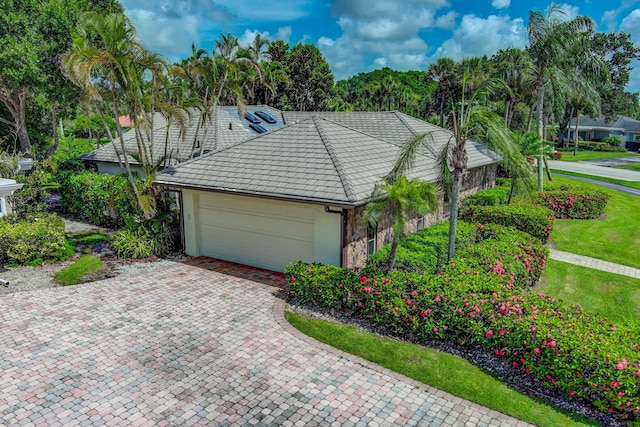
399,199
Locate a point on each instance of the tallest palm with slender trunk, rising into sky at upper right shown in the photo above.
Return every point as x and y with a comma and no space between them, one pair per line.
550,40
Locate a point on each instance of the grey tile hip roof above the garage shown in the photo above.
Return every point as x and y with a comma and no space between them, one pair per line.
321,158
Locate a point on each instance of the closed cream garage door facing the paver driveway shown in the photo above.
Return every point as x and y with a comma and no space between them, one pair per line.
259,232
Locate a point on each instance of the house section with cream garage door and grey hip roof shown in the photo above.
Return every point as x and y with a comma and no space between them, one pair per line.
298,191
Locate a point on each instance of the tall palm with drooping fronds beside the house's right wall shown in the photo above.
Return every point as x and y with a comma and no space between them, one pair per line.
470,120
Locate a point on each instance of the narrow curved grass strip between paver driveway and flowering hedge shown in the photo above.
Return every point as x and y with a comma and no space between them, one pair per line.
436,368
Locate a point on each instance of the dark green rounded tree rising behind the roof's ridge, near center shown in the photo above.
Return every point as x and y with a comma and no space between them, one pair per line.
311,80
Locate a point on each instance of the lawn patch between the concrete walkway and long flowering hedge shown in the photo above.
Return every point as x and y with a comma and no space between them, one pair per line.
610,295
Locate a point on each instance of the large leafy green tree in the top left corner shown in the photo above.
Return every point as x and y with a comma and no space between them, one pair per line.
33,35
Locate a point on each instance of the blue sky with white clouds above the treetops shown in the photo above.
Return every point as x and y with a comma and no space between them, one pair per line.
362,35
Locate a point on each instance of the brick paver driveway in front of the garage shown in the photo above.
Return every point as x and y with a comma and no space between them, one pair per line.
202,343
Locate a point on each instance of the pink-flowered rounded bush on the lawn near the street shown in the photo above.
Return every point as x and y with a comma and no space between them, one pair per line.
570,202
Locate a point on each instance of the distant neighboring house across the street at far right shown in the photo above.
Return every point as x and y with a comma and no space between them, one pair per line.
596,129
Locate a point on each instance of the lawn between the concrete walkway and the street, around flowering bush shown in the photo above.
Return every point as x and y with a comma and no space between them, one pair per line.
615,238
